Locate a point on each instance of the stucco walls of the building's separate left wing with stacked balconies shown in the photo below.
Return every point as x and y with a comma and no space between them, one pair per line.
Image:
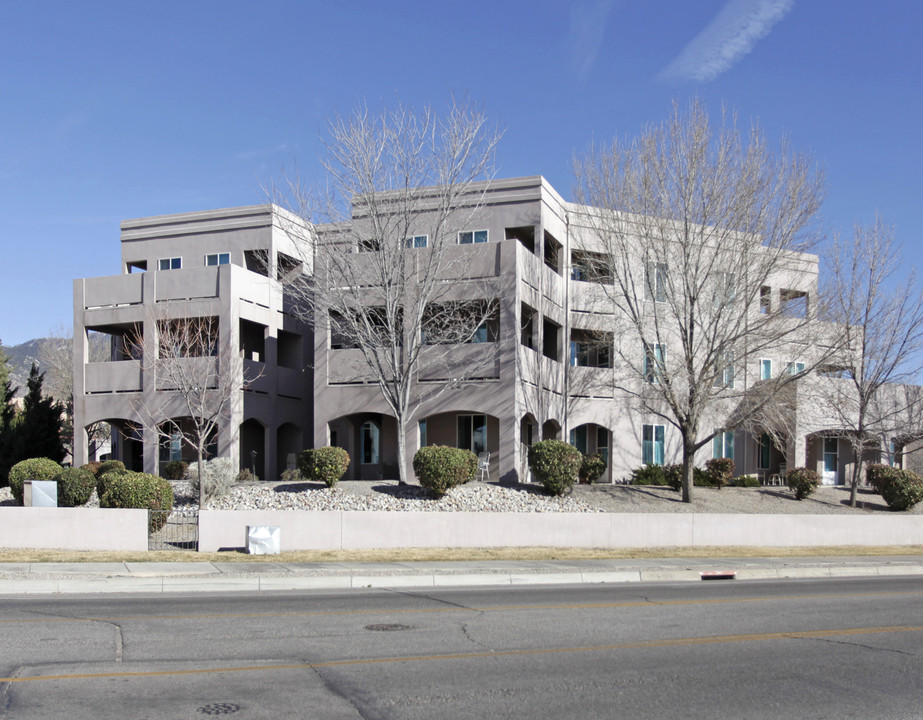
279,396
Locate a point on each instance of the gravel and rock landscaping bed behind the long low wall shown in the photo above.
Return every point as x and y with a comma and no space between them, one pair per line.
483,497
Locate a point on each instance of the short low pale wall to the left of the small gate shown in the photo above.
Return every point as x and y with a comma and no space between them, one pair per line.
73,528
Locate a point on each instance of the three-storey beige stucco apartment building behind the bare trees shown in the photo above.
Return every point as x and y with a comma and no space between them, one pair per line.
546,367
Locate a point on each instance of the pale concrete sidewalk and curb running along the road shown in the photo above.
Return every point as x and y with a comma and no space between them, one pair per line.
185,577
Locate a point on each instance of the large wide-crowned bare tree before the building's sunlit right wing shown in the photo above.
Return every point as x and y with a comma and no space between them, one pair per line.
696,228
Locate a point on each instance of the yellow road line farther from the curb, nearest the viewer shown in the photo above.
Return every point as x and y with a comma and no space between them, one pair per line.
672,642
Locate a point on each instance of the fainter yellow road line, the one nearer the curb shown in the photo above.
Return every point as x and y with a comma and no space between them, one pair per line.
458,608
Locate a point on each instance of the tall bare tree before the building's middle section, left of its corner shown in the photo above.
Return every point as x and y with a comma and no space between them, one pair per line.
403,190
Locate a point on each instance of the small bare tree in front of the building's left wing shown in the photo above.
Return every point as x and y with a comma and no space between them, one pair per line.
197,377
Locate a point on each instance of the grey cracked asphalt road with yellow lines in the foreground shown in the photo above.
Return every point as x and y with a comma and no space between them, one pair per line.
835,648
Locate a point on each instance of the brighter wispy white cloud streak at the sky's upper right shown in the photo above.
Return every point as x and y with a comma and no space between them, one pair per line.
729,37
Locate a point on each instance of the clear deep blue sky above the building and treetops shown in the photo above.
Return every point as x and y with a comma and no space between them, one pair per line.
116,110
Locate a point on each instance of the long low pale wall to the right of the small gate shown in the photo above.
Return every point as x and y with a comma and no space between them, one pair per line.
357,530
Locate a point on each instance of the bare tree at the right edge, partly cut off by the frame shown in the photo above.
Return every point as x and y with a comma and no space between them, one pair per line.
880,317
